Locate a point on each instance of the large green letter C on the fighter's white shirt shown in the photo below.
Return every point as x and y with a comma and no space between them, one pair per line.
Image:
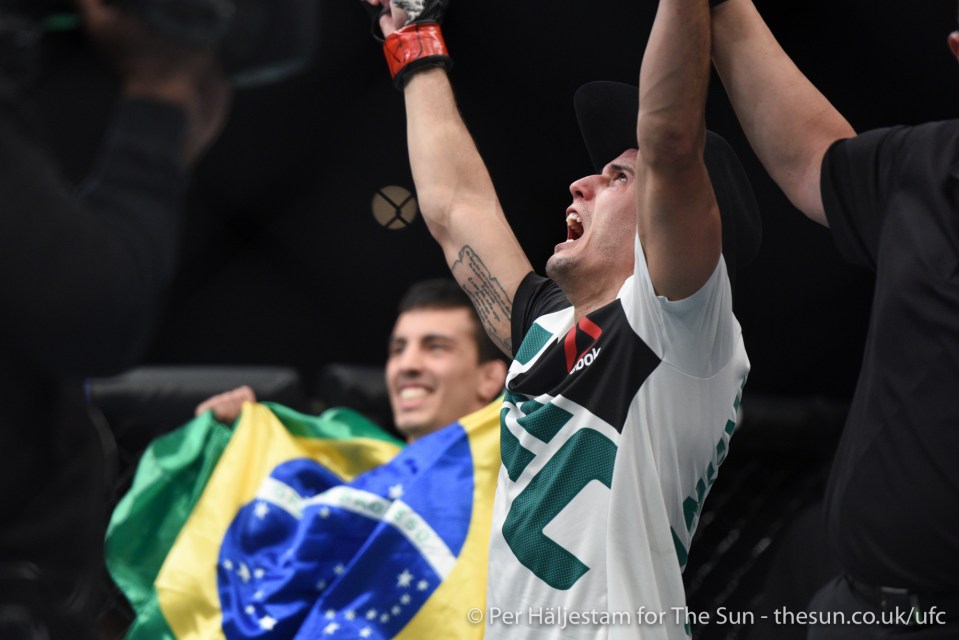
586,456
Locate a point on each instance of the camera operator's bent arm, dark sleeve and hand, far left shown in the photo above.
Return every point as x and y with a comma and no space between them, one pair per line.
91,270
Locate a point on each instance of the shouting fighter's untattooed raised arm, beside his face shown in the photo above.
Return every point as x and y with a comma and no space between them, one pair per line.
678,219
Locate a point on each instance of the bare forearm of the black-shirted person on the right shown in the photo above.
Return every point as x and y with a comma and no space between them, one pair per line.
789,123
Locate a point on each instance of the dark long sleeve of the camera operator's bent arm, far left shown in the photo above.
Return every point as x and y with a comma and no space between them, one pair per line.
82,275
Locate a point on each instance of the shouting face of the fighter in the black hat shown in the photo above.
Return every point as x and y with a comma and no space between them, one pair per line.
601,228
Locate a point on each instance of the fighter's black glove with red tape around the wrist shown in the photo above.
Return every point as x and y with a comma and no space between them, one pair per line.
419,43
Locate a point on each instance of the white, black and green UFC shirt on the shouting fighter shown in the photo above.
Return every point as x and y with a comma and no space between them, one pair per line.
612,431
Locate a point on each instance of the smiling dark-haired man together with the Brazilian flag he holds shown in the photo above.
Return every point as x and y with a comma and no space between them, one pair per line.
344,530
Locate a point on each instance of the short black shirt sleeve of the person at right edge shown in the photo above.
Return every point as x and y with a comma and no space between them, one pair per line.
857,176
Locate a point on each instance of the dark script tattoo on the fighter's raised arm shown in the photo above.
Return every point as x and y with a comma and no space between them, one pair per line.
492,304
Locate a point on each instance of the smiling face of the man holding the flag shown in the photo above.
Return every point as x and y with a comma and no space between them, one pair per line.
433,371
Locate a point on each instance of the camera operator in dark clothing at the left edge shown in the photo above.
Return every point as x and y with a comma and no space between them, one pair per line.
81,280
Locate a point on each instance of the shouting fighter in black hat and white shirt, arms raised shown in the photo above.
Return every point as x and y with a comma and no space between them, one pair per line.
628,361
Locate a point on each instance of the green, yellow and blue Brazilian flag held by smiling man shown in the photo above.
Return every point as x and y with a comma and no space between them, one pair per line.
293,526
